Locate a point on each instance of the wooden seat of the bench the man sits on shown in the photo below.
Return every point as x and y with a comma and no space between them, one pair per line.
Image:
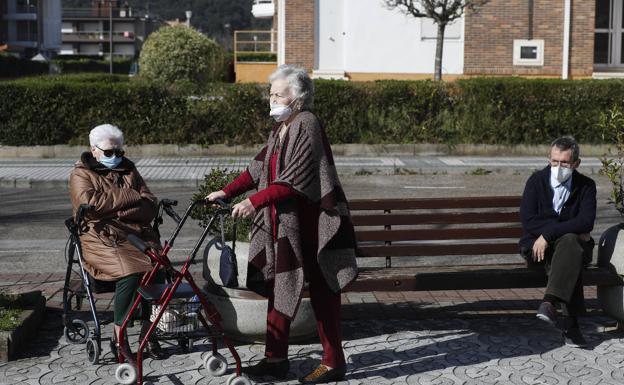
467,278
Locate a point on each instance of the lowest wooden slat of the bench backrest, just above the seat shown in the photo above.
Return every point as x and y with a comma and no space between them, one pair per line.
433,250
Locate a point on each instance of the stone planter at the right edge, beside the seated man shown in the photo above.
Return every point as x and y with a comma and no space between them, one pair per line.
611,256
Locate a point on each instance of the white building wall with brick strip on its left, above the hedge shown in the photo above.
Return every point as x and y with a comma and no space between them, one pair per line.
363,37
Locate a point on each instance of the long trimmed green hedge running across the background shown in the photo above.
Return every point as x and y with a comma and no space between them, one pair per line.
58,110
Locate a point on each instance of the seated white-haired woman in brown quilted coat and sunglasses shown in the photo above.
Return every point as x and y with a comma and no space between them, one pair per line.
123,205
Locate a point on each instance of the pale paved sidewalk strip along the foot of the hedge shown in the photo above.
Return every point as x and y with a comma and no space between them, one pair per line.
26,172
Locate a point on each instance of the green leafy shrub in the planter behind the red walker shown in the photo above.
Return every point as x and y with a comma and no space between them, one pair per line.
216,180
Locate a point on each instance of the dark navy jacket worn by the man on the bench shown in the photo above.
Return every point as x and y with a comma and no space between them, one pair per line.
539,218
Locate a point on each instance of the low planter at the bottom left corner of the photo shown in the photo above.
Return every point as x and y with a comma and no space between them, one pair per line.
30,318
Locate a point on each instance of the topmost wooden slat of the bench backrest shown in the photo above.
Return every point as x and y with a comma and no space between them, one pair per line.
434,203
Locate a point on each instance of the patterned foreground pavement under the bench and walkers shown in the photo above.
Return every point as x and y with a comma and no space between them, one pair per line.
445,337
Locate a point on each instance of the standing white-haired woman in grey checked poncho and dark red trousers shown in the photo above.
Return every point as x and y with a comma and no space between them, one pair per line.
301,231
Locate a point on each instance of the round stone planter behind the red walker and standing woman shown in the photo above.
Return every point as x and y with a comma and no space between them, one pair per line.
243,311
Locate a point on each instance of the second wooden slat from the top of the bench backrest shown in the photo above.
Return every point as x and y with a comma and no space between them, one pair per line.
438,218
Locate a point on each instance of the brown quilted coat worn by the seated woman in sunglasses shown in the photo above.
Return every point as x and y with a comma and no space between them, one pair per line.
123,205
